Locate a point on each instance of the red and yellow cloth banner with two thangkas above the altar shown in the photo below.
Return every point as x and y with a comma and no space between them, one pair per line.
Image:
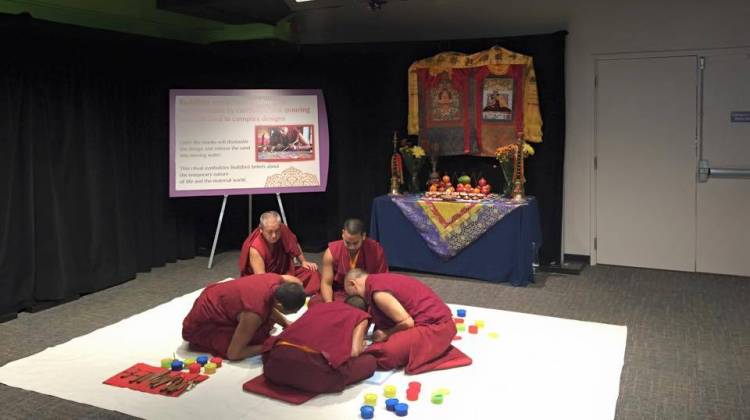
473,104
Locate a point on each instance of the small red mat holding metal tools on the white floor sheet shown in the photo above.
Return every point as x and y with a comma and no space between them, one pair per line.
133,378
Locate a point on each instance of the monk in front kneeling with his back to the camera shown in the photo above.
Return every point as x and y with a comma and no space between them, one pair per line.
322,350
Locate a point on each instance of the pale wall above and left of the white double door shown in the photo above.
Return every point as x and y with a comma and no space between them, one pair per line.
595,27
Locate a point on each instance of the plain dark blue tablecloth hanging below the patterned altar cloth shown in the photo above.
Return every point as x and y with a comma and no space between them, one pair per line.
505,253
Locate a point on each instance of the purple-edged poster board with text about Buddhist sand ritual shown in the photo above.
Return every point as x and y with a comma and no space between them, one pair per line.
231,142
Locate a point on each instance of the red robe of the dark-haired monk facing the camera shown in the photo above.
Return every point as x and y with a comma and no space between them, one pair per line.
370,258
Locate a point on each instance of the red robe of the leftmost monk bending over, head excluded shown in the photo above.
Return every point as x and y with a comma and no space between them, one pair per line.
210,324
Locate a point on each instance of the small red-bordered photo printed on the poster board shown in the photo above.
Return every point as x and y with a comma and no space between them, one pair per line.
284,143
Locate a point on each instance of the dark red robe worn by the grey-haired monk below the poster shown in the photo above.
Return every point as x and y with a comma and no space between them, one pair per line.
278,257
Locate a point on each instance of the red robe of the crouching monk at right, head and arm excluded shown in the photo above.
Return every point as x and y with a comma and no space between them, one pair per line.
426,346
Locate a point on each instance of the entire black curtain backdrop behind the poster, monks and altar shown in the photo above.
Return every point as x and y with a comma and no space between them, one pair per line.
84,147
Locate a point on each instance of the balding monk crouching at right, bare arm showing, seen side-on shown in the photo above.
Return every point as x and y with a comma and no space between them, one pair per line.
413,326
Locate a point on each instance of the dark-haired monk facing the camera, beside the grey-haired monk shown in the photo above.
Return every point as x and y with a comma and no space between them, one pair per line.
354,250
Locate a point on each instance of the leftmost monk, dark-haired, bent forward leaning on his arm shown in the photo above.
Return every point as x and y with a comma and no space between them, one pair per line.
232,319
